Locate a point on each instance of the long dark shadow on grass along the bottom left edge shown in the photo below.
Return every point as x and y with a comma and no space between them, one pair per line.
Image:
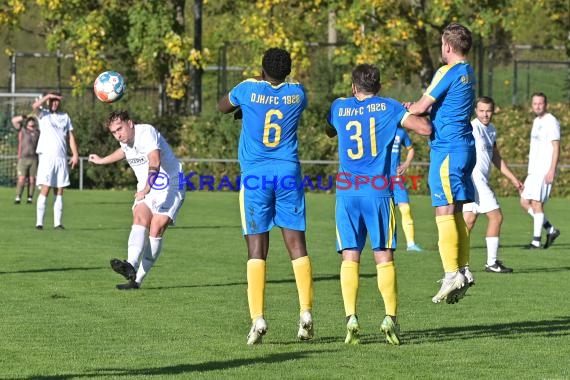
187,369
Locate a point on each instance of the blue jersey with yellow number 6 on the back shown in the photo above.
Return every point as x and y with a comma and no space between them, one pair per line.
271,117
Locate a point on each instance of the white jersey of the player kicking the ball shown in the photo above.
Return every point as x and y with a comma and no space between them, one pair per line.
147,139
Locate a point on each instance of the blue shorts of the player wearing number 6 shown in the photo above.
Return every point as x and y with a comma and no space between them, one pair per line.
272,195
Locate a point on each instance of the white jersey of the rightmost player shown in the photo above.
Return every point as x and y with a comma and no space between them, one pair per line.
545,129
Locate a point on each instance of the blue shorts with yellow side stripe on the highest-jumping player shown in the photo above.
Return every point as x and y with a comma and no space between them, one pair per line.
450,177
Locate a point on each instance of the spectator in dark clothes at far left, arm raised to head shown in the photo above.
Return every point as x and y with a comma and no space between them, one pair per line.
27,167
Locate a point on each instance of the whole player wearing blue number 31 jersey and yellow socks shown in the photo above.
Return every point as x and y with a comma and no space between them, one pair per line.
366,125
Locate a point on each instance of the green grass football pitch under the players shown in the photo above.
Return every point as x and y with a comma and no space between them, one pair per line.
62,318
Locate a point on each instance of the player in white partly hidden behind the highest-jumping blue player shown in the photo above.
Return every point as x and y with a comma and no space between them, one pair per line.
485,135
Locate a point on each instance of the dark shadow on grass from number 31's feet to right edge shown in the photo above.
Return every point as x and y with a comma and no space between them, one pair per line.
515,330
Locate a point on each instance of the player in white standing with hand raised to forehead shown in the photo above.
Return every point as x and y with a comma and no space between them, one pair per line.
55,132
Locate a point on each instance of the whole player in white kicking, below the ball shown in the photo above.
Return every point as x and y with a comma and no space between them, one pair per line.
157,200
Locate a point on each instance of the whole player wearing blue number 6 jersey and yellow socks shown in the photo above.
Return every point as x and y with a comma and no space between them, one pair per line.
271,110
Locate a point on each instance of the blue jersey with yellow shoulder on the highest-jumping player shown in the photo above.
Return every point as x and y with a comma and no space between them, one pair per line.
453,90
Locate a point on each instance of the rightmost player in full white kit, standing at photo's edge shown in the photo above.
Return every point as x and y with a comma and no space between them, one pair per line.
542,161
